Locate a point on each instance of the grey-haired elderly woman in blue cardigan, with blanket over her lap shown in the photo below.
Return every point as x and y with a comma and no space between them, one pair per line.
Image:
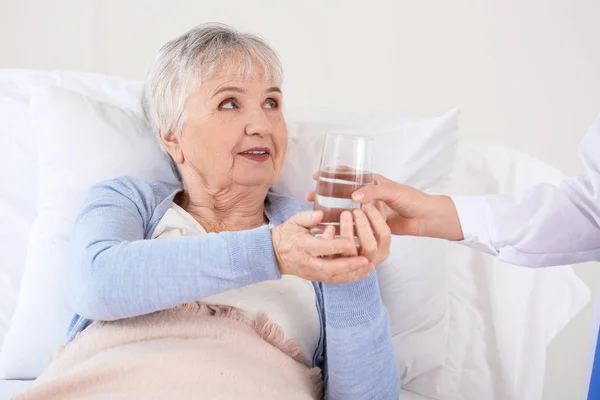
216,288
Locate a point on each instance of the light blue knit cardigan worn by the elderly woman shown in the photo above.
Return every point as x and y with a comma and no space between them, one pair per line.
114,273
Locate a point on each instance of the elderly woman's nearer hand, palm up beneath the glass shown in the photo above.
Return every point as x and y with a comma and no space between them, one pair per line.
300,253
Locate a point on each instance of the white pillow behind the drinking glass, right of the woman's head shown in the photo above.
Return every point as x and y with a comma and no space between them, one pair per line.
420,153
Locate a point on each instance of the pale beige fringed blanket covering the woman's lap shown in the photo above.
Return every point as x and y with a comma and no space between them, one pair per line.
195,351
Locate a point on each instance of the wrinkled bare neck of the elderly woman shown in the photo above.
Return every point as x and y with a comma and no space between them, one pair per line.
231,209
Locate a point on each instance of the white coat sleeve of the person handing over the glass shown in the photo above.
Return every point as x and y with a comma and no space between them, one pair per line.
544,225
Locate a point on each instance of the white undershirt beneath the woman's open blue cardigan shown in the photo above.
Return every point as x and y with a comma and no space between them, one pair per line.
289,302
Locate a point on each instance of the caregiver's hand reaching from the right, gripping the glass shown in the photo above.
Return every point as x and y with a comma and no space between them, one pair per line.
409,211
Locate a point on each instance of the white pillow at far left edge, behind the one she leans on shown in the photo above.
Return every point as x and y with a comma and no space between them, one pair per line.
18,163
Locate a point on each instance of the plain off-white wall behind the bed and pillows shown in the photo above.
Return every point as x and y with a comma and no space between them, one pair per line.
526,73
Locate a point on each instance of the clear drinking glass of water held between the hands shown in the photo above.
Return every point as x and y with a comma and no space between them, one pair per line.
346,165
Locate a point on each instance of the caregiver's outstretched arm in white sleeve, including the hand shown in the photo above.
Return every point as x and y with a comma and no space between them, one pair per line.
545,225
